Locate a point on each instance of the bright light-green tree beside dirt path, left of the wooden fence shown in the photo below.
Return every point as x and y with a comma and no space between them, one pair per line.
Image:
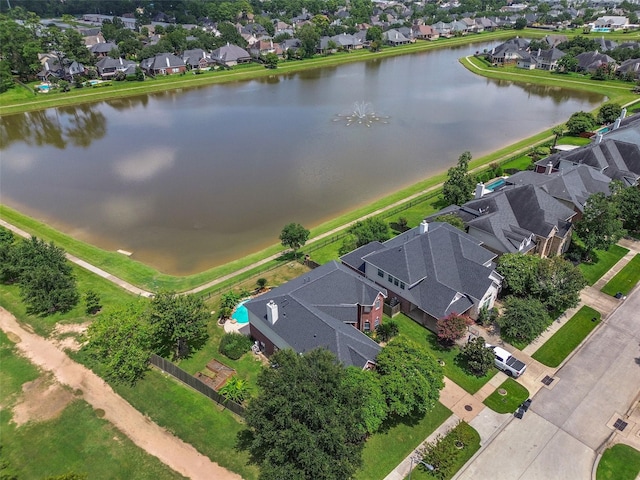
121,341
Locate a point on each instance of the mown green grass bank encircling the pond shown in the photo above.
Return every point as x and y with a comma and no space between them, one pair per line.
147,277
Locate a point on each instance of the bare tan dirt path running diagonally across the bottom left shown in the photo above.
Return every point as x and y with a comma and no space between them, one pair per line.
172,451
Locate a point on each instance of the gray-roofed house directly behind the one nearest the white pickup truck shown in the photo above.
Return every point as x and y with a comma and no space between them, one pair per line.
518,219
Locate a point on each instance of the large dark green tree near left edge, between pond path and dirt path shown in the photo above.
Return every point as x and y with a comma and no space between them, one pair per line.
47,284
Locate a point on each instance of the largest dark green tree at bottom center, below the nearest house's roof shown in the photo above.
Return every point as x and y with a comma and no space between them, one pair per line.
293,434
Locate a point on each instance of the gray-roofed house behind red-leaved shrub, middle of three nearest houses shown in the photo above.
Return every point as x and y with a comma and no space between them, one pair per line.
433,270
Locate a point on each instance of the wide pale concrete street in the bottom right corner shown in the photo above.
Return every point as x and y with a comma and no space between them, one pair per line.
561,434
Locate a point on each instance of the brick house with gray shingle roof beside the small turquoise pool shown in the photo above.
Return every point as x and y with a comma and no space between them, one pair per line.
328,307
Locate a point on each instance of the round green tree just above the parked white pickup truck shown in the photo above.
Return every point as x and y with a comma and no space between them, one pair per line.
523,319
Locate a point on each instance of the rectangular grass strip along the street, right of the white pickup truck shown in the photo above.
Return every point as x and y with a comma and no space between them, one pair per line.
568,337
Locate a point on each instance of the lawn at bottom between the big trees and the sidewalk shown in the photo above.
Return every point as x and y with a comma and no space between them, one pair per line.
387,448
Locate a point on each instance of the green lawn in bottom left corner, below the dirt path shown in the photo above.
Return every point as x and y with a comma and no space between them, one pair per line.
75,441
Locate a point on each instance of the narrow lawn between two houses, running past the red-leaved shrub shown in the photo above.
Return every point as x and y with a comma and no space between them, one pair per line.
454,367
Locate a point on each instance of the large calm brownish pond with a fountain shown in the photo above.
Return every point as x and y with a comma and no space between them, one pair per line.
193,178
